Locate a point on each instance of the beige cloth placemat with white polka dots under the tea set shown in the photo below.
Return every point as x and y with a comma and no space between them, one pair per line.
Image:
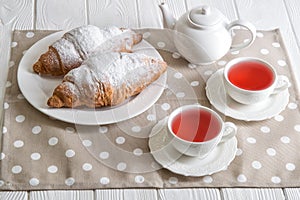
39,152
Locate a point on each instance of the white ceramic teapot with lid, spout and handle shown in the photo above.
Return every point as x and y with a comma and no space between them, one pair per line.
203,34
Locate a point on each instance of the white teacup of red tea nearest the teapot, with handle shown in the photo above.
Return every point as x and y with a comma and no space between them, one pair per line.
251,80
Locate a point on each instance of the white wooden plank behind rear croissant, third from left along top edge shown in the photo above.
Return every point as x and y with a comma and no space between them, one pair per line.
121,13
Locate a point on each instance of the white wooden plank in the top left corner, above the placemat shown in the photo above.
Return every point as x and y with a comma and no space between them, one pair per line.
18,12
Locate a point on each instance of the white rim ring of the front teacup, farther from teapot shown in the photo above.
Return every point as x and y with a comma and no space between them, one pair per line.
169,128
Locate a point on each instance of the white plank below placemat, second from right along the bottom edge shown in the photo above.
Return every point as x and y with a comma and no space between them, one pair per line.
252,194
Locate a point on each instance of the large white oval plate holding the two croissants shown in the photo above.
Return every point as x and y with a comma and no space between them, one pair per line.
37,89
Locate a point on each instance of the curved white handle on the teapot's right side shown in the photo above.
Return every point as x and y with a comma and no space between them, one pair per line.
250,27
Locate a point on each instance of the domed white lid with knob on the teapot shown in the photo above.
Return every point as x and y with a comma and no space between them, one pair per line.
205,16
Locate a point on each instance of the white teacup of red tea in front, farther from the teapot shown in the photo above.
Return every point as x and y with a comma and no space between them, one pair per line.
197,130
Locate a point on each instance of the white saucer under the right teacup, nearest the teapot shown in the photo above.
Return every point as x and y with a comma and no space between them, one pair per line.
218,97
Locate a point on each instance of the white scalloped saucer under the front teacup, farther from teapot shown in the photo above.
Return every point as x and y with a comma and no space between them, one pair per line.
165,154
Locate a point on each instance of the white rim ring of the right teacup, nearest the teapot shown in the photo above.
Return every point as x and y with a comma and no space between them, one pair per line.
244,59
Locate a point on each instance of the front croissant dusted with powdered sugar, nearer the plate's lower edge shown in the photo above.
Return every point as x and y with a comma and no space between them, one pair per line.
106,80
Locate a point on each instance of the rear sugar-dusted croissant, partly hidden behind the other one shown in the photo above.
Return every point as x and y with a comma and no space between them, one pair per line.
78,44
